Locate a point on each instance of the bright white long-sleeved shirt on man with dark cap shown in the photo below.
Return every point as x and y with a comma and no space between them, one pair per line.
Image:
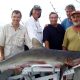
34,29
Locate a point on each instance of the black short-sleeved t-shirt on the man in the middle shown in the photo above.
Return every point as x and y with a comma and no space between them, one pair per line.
54,35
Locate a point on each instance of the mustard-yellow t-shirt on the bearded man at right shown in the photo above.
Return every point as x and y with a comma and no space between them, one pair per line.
72,40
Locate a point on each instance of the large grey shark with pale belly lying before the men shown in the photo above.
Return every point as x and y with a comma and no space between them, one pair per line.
41,54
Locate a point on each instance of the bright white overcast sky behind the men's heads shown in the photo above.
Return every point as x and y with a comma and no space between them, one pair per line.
7,6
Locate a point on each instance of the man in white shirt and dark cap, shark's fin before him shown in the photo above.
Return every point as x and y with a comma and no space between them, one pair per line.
33,26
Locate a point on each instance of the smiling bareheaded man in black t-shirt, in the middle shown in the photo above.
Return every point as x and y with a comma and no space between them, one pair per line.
53,33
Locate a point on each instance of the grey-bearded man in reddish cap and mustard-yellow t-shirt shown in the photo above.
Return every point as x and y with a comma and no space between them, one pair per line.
72,35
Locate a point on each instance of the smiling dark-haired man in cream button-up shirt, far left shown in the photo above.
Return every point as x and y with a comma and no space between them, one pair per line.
13,36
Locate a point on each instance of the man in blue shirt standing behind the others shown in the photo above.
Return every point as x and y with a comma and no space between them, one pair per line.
67,21
